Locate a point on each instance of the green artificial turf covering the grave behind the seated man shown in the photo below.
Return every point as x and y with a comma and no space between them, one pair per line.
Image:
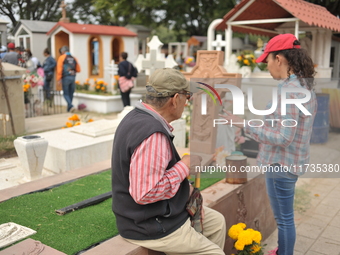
74,231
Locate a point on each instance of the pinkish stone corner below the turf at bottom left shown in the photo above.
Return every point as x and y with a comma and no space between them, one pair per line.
30,247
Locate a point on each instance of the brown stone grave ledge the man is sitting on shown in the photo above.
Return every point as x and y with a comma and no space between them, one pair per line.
236,202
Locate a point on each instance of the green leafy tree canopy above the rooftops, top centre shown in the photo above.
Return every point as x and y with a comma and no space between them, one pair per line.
192,16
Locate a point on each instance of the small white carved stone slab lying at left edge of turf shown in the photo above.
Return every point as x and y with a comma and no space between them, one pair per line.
11,232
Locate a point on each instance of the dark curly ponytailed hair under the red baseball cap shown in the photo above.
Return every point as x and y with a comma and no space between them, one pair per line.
300,63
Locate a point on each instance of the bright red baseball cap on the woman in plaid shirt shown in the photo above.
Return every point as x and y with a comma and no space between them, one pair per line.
279,42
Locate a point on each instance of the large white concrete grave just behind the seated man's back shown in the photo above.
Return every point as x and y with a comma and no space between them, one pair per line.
68,150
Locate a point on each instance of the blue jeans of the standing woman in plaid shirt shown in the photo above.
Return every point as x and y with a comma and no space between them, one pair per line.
281,189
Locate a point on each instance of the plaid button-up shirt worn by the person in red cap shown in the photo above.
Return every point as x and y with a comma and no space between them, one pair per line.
288,146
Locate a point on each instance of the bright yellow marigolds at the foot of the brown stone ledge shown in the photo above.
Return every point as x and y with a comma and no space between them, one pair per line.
248,241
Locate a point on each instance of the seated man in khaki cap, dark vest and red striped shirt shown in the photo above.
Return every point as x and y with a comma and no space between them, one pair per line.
153,200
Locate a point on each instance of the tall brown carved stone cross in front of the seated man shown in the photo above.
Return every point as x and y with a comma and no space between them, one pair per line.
208,70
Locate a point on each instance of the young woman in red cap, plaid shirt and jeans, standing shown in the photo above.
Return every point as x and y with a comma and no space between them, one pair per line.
284,149
